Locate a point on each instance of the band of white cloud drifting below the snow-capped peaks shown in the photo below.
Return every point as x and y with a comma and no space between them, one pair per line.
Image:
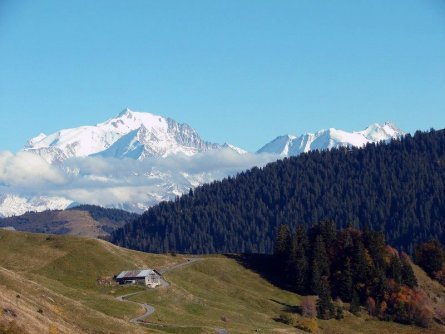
126,183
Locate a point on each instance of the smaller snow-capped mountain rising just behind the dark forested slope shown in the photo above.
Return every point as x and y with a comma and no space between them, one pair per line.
290,145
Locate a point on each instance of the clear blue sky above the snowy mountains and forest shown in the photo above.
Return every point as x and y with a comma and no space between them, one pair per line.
237,71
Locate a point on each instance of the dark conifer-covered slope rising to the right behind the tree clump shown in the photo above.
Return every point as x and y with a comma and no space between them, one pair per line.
397,188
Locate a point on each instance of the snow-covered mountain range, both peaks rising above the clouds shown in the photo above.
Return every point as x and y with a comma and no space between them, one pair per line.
140,135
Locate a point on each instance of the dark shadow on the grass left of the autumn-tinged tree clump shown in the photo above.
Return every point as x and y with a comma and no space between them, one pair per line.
263,265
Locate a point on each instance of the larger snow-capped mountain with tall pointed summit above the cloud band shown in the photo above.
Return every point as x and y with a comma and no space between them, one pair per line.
131,134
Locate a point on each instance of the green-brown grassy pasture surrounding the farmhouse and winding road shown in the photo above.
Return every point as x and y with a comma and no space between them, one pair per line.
59,284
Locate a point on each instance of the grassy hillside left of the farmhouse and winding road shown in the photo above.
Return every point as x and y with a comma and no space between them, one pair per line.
58,275
